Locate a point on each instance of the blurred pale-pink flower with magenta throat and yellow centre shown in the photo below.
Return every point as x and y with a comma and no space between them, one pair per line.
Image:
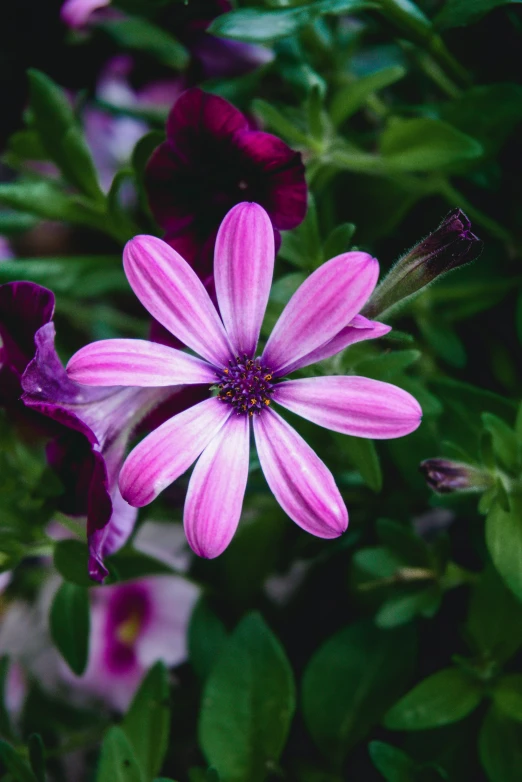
133,625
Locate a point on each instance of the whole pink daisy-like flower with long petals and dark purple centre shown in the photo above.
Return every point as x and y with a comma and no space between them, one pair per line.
319,320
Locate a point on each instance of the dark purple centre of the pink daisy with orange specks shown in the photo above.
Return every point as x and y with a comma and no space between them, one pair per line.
245,384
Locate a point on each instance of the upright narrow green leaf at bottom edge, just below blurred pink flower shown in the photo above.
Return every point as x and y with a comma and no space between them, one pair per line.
147,723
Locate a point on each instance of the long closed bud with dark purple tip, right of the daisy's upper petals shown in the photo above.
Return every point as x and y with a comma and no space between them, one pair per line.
451,245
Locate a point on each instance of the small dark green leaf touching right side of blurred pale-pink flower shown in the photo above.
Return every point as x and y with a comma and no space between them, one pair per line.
207,636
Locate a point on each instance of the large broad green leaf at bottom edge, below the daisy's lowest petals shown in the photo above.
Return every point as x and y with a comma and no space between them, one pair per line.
248,704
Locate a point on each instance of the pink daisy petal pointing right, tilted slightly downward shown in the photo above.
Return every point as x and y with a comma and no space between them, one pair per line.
352,405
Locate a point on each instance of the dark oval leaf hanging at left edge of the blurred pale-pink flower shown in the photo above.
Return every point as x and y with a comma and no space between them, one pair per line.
69,623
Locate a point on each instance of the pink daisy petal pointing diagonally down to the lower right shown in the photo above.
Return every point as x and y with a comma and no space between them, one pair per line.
301,483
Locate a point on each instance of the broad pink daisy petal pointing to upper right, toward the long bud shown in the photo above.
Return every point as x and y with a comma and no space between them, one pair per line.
320,308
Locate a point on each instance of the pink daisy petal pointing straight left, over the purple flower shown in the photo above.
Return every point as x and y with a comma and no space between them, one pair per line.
136,362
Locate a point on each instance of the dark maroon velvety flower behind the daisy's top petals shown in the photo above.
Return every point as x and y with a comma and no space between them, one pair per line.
211,161
